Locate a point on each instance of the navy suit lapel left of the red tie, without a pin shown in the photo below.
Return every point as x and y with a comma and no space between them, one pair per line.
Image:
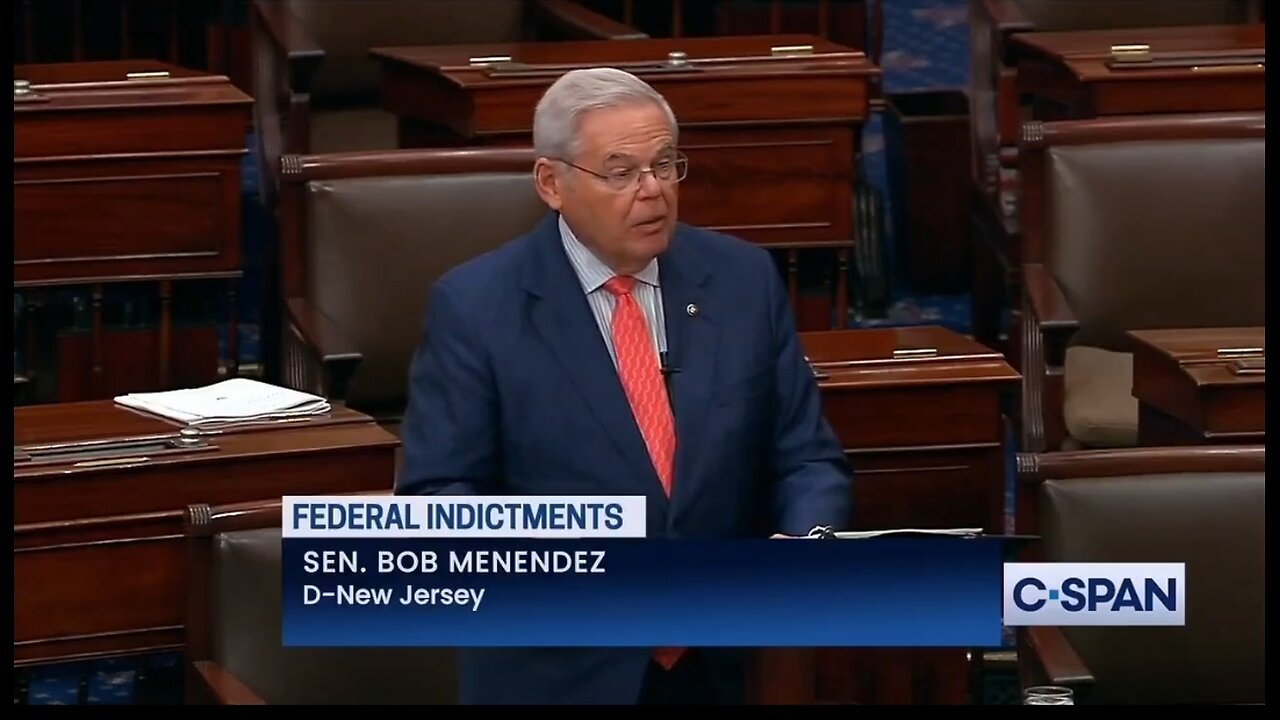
564,320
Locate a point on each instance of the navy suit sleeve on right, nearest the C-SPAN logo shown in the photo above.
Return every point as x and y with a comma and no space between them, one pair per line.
815,479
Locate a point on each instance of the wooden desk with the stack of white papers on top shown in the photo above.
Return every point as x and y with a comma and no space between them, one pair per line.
99,540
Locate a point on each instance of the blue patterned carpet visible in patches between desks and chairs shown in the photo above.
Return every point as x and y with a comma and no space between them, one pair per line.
926,48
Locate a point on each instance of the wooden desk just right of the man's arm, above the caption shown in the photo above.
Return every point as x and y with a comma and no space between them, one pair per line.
921,413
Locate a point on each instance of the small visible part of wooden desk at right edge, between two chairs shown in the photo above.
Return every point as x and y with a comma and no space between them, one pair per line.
1200,386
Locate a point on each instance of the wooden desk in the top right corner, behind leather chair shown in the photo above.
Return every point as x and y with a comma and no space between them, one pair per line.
1190,70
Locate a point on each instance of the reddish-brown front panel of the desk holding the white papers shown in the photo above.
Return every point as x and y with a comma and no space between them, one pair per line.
99,562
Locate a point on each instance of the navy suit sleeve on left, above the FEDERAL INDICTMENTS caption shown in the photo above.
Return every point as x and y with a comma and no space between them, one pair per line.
451,431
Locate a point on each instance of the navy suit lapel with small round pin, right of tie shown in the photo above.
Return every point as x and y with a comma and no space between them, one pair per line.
692,341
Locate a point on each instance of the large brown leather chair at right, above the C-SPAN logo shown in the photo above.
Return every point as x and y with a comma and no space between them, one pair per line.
1131,224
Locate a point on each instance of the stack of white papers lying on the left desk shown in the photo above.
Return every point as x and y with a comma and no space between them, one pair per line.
239,400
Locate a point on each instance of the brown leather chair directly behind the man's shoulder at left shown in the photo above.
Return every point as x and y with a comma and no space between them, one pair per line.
364,238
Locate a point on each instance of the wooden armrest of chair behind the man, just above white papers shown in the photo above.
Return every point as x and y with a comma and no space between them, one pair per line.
319,357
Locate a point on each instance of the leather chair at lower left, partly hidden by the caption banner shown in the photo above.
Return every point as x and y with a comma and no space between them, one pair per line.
235,630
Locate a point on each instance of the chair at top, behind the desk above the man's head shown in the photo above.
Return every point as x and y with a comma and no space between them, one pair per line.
318,89
